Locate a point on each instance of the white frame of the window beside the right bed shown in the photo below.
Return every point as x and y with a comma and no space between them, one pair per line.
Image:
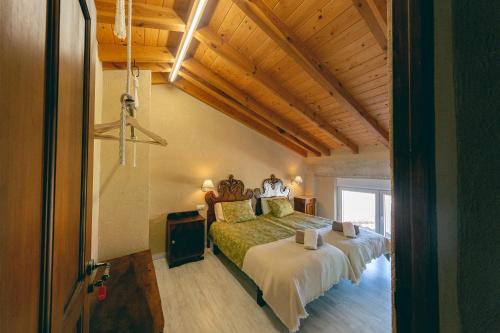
379,187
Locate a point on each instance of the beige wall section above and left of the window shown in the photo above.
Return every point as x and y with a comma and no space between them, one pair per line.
369,163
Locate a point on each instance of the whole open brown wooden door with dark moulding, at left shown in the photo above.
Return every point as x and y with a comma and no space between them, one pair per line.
45,88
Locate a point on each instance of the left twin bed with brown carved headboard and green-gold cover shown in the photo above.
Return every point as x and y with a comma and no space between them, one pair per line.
287,275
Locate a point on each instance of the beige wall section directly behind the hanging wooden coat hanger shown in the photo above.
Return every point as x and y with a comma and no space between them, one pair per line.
124,191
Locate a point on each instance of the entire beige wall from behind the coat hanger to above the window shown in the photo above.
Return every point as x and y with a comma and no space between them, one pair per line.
203,143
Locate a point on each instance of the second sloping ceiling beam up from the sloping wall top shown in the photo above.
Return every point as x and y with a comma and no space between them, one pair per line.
221,96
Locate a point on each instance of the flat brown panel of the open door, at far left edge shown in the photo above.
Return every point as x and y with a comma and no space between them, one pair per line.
22,81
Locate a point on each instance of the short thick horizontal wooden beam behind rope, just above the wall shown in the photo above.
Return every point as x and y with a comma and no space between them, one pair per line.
149,54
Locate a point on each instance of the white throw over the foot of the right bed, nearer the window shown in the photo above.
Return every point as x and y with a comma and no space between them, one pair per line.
361,250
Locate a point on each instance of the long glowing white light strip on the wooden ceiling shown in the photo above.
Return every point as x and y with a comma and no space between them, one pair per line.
194,20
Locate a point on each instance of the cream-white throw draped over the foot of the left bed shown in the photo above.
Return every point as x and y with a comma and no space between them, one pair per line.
291,276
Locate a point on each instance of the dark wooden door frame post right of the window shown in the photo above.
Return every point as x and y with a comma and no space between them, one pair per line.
416,280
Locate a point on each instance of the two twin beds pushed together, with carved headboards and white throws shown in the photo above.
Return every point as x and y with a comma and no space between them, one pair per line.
287,275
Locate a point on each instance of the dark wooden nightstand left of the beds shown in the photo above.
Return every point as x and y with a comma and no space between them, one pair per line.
185,239
